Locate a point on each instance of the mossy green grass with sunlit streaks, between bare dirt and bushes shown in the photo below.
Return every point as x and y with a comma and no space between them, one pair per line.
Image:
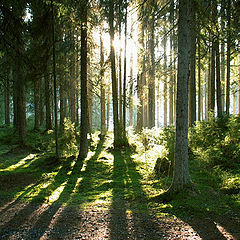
110,179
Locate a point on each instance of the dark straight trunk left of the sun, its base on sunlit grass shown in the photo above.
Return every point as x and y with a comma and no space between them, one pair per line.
84,101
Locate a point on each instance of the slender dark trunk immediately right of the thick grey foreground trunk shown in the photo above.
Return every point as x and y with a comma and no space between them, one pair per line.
192,66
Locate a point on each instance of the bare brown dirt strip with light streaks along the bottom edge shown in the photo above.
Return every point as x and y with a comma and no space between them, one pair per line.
20,220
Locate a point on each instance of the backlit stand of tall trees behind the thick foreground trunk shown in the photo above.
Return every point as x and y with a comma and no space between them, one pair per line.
121,56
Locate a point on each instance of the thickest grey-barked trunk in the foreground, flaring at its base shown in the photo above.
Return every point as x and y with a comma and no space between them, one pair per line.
181,177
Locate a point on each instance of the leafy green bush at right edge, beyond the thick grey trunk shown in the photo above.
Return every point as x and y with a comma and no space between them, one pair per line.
217,141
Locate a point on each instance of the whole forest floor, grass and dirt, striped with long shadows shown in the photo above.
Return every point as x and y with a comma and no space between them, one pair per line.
104,197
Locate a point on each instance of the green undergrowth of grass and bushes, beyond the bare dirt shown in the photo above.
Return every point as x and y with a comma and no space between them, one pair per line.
133,174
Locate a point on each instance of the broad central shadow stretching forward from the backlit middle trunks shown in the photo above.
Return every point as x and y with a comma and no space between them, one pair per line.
126,222
